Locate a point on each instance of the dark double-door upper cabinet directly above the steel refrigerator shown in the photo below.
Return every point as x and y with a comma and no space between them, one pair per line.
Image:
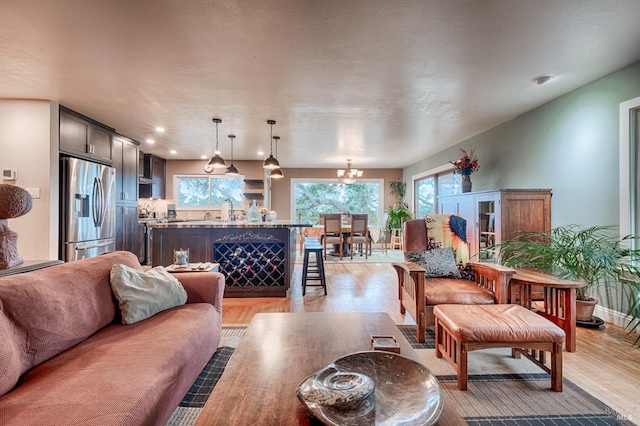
80,136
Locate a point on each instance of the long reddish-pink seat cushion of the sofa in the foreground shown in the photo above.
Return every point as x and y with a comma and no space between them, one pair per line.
123,375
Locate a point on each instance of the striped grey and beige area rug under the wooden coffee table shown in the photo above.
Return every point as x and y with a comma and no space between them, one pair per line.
502,390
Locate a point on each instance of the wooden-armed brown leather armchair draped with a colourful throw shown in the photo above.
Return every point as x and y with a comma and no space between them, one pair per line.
418,294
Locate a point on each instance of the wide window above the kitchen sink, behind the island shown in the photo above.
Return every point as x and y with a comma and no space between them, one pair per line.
193,192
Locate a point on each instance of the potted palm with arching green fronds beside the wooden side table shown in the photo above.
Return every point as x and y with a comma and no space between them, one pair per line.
596,255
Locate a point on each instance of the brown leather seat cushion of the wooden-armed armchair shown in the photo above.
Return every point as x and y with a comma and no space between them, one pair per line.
455,291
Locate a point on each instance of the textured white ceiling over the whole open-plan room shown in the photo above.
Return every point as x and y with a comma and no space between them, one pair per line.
383,82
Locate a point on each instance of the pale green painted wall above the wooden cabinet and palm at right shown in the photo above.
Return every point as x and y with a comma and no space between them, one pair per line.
569,145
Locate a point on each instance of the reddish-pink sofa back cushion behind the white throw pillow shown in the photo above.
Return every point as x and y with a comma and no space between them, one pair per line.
53,309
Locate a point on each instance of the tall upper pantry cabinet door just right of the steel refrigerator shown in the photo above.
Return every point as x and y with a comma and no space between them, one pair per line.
125,161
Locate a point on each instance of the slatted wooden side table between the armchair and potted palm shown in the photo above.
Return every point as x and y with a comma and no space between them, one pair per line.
559,299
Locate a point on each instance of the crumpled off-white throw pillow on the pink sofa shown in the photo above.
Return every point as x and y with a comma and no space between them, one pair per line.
144,294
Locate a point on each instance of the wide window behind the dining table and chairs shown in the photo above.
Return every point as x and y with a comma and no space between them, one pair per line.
313,197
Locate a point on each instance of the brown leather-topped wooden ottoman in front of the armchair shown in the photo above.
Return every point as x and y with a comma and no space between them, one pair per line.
461,329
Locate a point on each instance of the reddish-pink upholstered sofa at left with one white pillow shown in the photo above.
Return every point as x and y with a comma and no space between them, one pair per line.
66,359
